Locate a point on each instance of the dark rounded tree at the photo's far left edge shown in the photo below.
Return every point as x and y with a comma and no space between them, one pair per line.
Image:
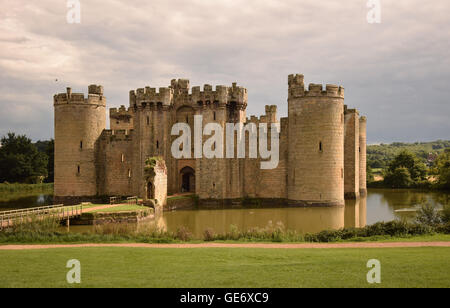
20,160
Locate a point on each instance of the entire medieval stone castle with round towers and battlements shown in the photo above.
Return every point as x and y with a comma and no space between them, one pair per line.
322,145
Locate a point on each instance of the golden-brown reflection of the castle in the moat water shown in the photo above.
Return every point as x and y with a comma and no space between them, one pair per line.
302,220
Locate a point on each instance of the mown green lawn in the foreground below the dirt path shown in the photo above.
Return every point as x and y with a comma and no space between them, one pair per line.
226,267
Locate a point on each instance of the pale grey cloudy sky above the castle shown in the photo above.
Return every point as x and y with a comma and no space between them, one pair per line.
397,73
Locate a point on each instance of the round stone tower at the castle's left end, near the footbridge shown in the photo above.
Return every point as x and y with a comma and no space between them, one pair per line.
79,122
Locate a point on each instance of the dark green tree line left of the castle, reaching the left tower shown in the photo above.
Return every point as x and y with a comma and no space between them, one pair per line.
22,161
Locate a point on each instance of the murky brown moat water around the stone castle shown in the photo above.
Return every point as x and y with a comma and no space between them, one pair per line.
379,205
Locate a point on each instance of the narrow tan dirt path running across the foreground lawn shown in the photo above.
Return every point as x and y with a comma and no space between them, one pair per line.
244,245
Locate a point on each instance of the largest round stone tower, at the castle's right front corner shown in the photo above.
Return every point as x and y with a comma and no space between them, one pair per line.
316,144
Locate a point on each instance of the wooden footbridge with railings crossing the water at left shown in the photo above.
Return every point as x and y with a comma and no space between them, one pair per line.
60,212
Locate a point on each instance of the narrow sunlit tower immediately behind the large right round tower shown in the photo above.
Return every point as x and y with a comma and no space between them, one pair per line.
351,154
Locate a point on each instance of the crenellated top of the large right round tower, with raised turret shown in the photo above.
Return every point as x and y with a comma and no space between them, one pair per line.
297,88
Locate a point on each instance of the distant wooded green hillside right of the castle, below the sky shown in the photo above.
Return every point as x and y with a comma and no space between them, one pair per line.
379,156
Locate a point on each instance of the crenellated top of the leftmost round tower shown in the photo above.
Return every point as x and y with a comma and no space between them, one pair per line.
95,97
